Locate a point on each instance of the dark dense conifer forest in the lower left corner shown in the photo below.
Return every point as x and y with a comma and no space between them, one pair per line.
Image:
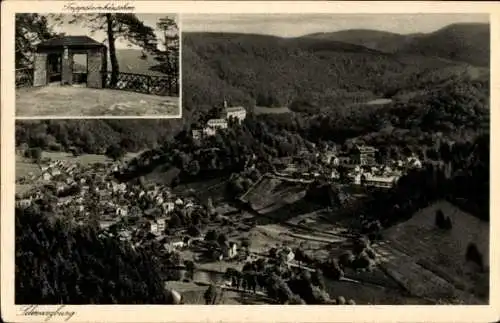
58,262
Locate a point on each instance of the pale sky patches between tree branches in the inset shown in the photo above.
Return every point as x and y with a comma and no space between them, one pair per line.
80,29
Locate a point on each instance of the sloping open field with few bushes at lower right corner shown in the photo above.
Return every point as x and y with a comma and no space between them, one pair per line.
431,262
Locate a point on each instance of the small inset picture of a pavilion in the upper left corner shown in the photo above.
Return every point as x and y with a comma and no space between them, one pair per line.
105,64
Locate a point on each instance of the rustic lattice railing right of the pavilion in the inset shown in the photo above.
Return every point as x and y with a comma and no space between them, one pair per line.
148,84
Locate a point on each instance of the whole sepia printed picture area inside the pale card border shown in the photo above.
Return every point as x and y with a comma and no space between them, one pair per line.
335,159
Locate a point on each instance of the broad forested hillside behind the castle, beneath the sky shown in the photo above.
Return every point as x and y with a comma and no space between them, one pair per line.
271,71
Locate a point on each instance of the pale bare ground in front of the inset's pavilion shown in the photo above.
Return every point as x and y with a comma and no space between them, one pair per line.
80,101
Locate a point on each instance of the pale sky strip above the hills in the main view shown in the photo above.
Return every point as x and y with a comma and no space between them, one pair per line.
294,25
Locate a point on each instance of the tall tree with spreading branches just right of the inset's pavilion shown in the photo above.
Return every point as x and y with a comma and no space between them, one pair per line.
125,26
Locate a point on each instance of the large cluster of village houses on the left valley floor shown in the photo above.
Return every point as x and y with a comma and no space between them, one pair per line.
131,213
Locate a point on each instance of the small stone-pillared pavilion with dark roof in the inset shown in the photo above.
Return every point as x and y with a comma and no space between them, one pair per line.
55,62
